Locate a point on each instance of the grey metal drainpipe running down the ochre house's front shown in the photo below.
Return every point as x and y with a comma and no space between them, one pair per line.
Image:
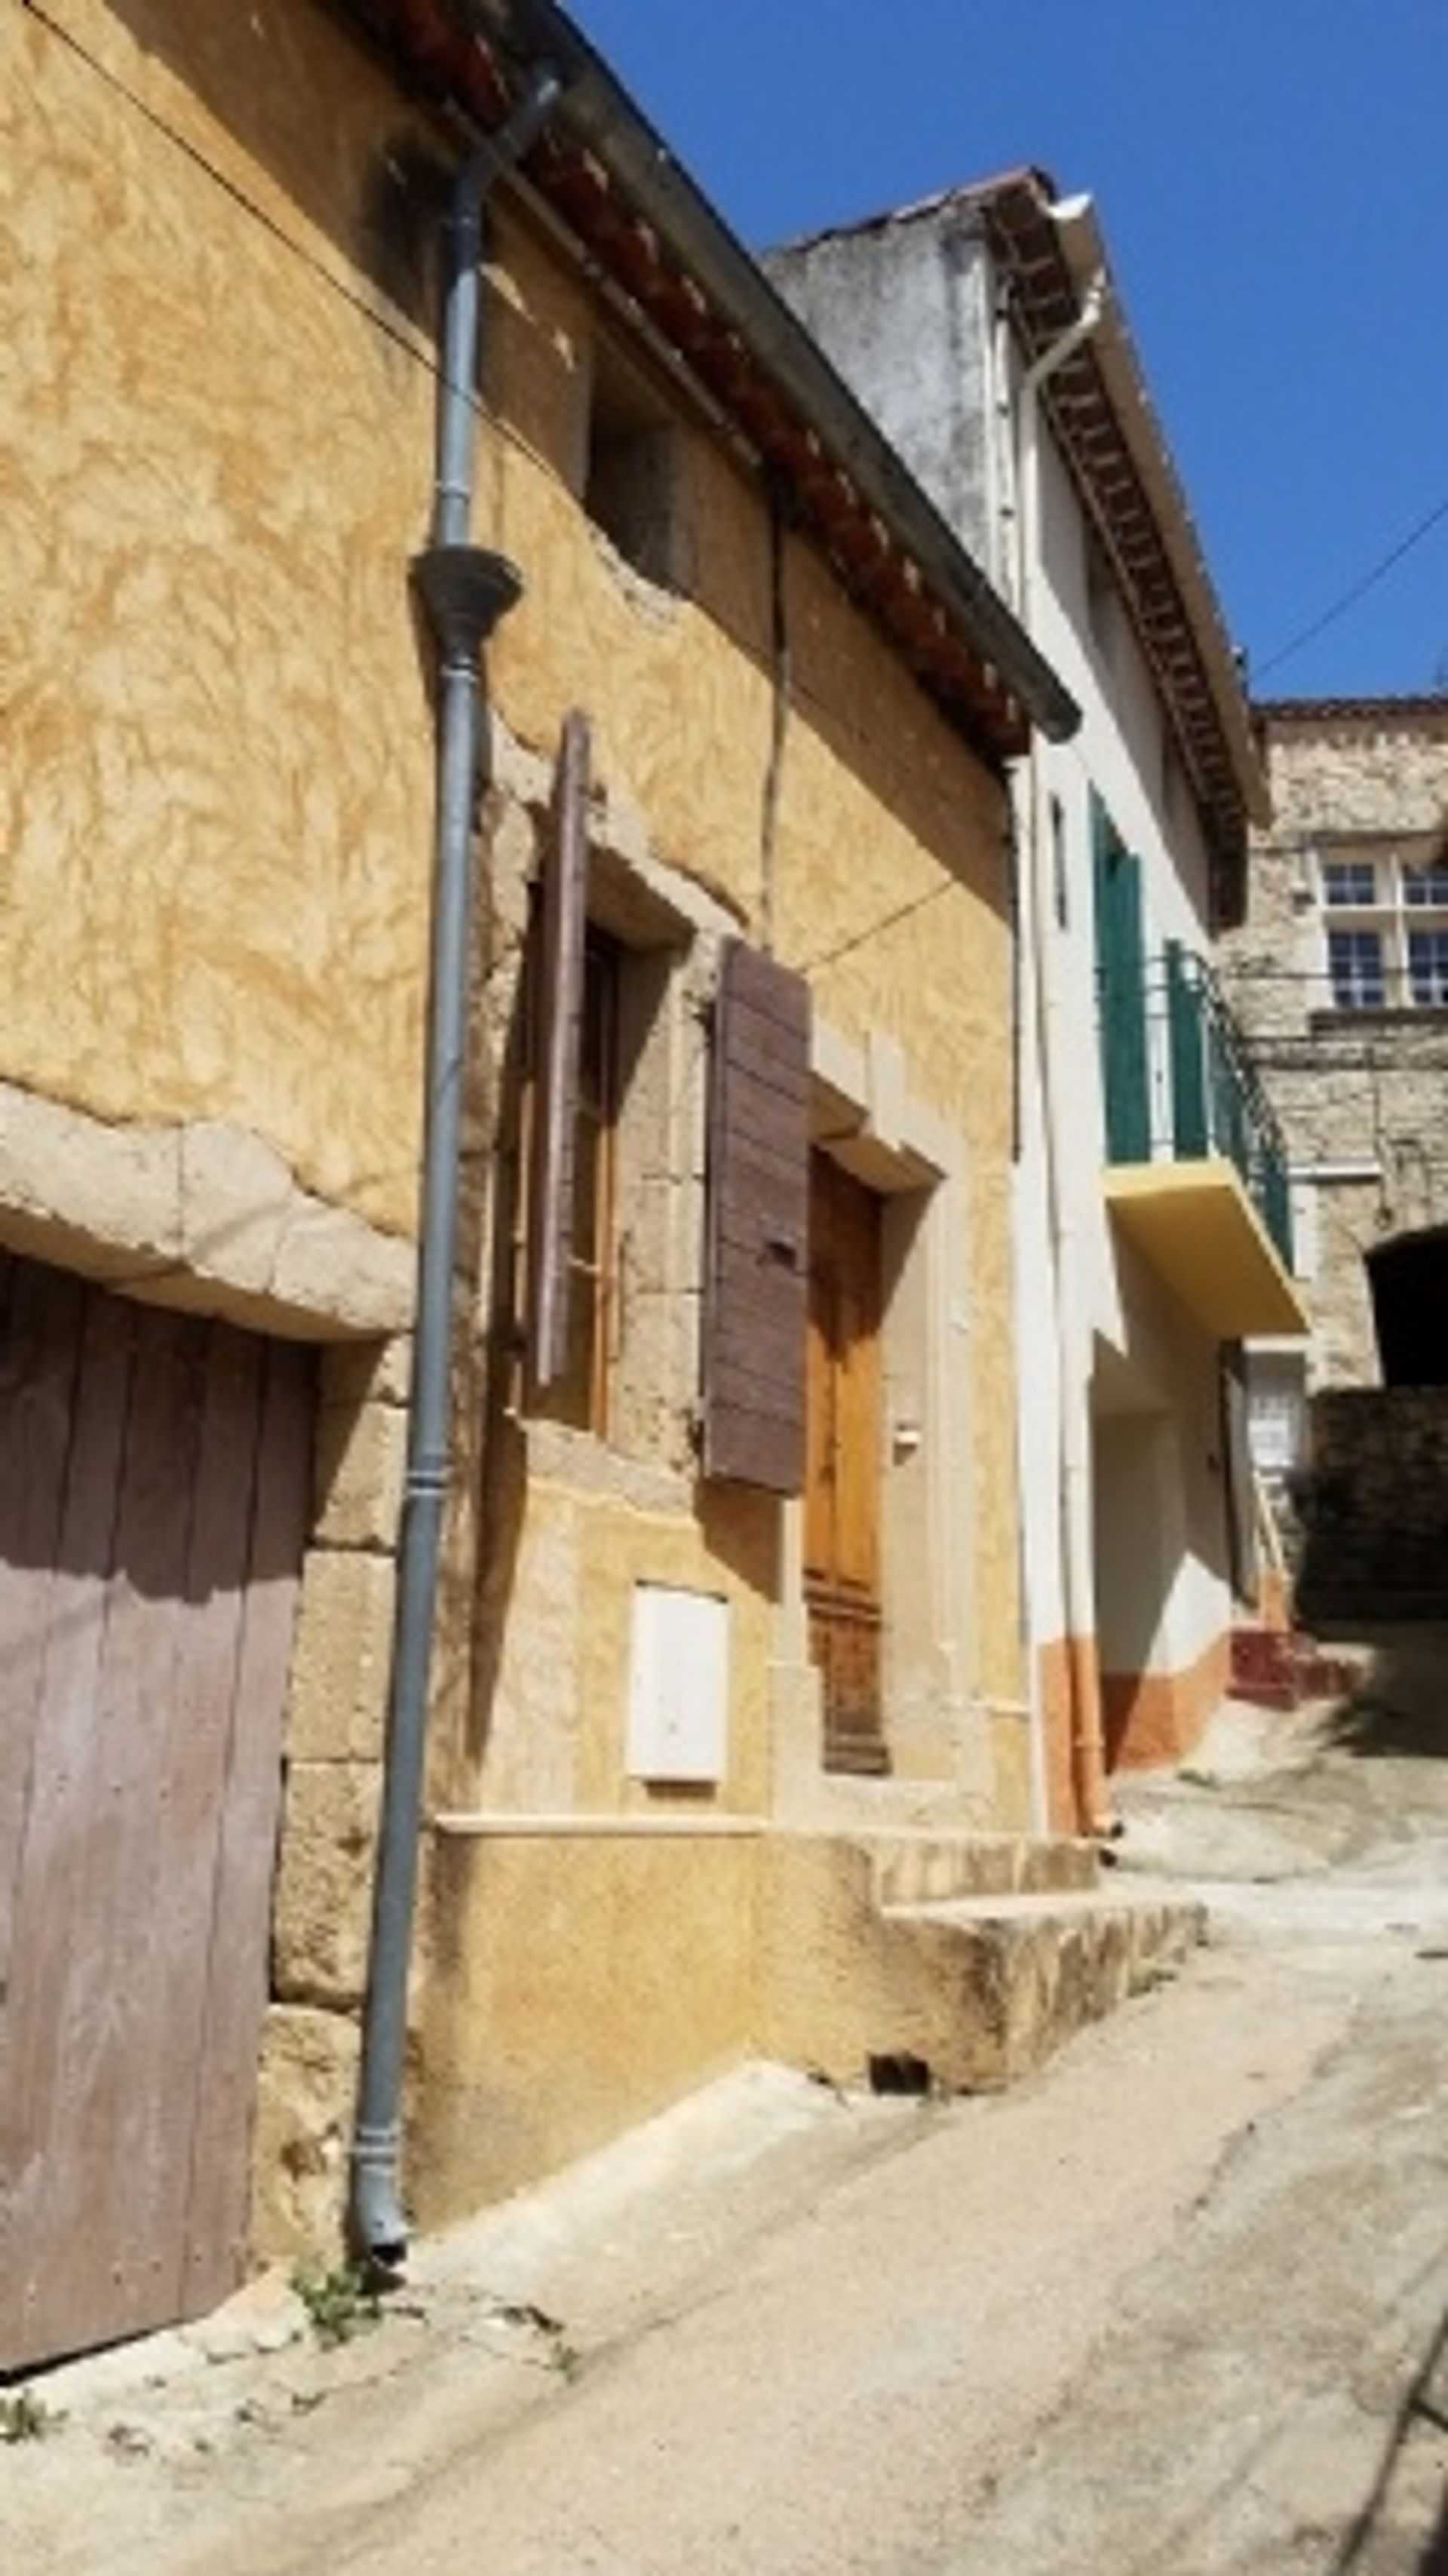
465,594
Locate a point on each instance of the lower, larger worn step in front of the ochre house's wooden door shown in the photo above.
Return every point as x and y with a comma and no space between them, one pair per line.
991,1987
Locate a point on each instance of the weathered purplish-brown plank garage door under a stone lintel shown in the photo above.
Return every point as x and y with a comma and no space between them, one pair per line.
153,1508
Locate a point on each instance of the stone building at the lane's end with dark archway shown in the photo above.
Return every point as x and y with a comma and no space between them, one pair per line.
1341,983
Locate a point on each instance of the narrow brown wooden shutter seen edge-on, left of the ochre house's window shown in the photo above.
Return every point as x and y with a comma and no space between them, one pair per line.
555,1065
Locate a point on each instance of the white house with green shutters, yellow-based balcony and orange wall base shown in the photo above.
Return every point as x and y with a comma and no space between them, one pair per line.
1150,1194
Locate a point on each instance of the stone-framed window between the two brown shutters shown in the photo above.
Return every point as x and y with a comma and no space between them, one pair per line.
609,1142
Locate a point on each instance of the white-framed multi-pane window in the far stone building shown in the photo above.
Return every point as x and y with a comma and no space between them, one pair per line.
1385,926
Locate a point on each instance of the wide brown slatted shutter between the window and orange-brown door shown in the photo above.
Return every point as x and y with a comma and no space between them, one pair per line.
759,1225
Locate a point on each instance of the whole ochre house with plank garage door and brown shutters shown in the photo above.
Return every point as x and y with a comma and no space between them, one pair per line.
725,1655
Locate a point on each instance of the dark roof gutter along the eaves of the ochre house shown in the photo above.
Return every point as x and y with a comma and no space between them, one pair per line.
599,115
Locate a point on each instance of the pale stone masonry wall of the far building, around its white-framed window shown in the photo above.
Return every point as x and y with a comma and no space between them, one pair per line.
1362,1096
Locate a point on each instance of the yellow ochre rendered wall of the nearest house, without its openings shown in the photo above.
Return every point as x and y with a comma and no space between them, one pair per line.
215,470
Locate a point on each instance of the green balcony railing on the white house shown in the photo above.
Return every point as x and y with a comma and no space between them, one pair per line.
1181,1088
